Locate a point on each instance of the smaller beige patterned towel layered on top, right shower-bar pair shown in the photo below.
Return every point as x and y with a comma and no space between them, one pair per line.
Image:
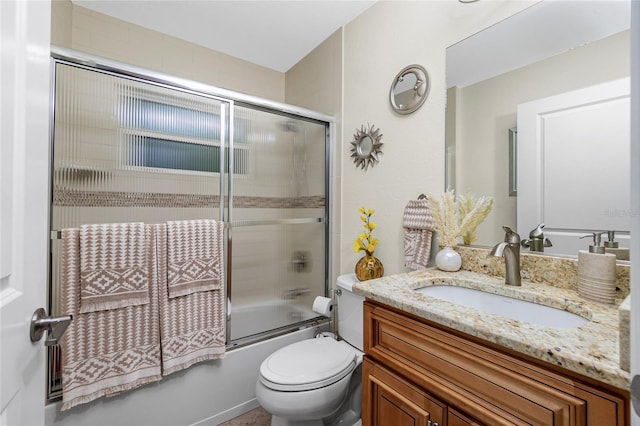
194,256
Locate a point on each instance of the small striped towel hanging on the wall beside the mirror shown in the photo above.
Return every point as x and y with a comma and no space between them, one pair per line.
418,226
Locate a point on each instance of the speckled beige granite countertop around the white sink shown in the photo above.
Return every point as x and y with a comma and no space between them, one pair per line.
591,349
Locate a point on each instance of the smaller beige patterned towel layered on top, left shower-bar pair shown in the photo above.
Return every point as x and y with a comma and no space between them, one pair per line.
113,266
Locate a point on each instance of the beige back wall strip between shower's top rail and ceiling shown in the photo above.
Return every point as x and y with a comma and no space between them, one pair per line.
104,36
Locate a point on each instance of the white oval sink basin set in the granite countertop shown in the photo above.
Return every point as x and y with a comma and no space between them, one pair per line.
508,307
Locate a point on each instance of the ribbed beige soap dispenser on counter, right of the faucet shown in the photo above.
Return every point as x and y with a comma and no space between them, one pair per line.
596,272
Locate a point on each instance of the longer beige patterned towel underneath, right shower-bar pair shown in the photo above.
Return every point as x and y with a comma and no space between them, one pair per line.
192,327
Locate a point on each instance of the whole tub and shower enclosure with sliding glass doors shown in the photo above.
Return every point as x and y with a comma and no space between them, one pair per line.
130,145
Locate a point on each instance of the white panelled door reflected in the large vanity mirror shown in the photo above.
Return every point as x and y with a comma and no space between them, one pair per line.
570,176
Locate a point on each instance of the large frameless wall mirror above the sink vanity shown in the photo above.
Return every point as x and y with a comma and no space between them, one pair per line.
492,72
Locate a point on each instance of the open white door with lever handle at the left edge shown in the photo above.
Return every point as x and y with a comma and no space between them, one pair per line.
24,164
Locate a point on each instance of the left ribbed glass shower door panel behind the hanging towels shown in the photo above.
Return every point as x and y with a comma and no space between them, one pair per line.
128,150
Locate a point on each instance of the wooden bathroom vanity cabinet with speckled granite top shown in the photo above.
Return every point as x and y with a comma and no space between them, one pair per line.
429,361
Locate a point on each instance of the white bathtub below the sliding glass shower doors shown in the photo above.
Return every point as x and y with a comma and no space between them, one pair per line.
208,393
